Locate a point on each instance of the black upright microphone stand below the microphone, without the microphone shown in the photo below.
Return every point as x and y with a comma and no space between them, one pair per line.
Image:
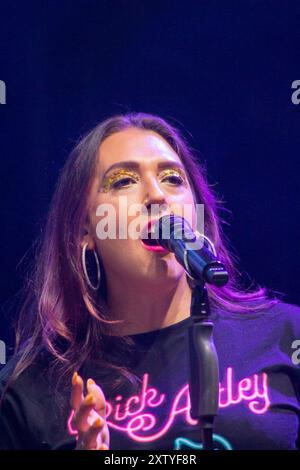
204,364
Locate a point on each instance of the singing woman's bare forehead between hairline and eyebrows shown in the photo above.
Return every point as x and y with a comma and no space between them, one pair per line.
135,144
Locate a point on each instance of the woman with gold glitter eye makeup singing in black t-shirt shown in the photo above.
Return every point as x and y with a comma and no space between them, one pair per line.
101,358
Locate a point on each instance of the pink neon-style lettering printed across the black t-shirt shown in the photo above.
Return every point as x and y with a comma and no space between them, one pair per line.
253,390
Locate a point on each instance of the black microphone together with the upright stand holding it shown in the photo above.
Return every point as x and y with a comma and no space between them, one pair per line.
203,358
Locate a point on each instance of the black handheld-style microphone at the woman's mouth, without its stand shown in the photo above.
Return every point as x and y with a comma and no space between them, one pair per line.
175,234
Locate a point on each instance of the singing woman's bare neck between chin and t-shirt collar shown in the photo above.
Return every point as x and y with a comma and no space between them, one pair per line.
148,308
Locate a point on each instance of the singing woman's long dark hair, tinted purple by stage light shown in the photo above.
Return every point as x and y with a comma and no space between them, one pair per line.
61,314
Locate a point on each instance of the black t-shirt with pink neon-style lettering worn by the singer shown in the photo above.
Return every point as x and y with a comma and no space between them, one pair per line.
259,401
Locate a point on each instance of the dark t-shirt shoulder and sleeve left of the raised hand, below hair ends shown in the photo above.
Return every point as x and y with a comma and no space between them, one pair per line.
33,413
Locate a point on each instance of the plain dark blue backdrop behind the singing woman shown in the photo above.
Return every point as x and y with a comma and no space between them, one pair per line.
222,70
